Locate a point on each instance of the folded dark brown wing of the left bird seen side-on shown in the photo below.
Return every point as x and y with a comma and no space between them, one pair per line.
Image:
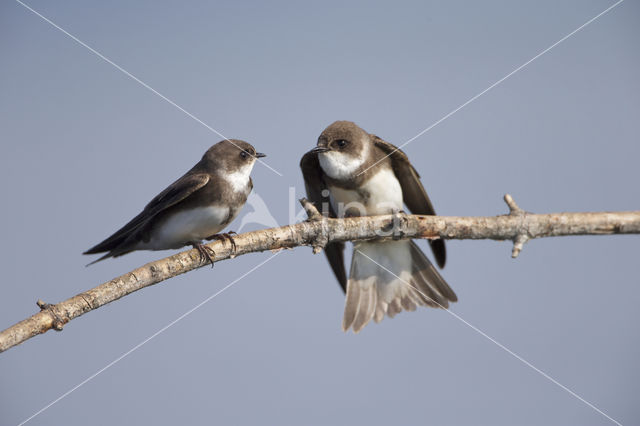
174,193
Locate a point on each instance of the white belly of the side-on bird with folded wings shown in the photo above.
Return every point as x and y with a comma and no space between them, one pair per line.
188,226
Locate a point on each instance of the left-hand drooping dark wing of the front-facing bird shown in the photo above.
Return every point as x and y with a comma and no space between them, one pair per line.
314,184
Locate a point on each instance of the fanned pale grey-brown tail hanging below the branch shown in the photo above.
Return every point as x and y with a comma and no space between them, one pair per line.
387,277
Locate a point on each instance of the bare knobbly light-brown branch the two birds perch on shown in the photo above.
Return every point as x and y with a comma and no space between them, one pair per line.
518,226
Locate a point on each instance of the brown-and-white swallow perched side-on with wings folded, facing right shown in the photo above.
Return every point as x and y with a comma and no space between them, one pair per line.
195,207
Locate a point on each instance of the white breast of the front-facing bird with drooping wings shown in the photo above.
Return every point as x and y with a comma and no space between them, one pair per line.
380,194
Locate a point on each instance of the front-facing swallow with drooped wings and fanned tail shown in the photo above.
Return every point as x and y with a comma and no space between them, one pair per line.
355,173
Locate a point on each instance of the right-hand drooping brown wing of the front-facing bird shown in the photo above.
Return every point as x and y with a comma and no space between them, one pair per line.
413,193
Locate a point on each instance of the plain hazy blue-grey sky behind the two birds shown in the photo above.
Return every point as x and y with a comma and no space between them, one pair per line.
84,148
